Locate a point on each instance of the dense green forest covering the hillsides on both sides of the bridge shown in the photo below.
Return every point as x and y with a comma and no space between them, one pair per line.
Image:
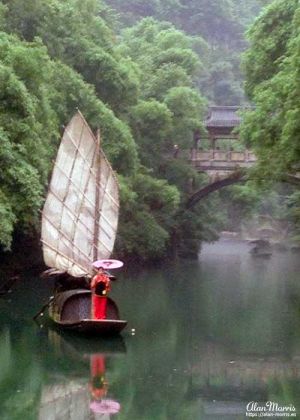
145,72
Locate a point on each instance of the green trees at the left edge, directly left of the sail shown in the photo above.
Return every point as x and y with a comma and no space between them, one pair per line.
27,126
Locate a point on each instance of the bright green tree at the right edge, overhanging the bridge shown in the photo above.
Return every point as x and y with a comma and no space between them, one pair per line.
272,65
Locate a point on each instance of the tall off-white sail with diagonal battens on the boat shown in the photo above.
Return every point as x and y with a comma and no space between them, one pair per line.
80,215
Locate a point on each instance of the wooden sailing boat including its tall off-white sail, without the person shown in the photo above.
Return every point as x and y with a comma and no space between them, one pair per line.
79,225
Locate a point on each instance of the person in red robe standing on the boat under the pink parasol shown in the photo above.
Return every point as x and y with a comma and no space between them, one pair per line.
100,286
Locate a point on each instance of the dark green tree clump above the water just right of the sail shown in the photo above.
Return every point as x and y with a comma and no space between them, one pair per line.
148,206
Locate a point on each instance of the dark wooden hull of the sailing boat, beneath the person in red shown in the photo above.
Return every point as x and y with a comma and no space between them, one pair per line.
71,310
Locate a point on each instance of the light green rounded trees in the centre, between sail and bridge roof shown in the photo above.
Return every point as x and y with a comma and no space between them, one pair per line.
172,108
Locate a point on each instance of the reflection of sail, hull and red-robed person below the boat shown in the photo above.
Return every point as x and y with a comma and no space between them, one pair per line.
84,391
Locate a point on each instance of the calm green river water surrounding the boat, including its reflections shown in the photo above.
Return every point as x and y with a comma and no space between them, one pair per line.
204,339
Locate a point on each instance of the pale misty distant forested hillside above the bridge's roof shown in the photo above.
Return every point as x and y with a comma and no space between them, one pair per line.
221,25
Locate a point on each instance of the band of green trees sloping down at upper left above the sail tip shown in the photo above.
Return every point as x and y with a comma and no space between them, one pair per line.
75,33
